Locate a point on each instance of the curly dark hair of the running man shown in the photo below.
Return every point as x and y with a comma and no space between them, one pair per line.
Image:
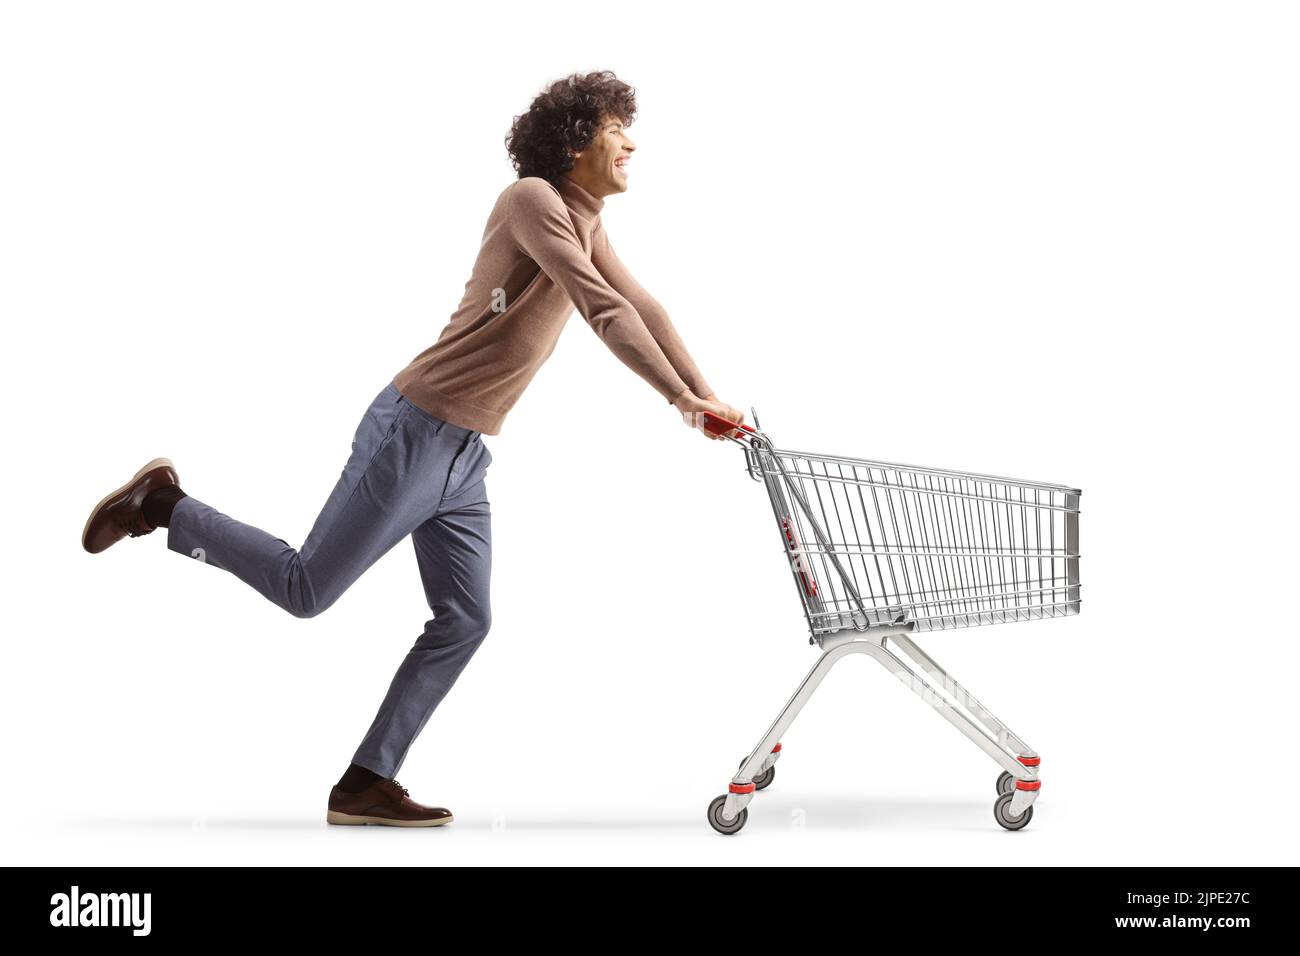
565,116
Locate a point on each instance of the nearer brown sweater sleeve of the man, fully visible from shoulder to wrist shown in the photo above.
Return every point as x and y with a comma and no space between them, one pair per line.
543,230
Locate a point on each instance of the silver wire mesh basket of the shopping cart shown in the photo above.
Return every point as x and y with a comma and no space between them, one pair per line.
879,543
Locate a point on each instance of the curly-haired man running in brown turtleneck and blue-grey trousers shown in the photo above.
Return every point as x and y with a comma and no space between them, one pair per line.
418,465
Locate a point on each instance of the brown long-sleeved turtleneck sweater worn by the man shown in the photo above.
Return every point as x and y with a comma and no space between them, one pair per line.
544,253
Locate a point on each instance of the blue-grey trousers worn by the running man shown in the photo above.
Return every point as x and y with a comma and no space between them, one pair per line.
410,474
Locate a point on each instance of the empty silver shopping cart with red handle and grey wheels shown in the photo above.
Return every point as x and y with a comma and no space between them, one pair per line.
881,552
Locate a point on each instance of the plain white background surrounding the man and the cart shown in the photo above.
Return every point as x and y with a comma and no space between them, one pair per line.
1051,241
